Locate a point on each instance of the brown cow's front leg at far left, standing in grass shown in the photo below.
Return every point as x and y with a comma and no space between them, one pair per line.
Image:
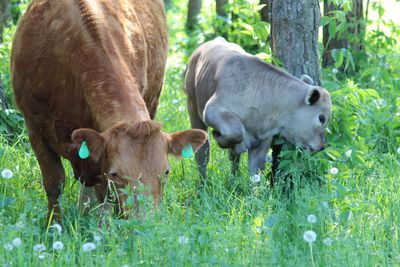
53,175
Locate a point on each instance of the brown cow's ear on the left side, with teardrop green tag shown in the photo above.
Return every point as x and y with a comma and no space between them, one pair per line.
95,142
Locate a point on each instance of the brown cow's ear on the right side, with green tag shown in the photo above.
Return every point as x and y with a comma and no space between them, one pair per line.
192,139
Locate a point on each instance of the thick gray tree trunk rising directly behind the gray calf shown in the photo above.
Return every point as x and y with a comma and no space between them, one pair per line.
295,26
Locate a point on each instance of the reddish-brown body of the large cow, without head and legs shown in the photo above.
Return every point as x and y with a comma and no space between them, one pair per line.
66,51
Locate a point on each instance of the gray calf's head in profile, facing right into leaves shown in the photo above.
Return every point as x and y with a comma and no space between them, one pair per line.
306,125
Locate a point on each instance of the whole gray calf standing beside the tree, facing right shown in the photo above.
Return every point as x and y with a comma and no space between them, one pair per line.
247,101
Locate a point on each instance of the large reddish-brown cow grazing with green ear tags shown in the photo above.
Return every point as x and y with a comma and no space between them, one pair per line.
93,70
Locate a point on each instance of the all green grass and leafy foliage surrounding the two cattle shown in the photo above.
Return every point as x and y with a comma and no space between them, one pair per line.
232,221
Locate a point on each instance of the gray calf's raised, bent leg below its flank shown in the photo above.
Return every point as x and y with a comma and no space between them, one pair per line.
228,130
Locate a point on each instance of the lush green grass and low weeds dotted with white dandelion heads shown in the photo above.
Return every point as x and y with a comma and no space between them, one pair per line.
231,222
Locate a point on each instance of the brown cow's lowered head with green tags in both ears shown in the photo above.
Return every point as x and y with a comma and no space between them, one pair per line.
133,153
